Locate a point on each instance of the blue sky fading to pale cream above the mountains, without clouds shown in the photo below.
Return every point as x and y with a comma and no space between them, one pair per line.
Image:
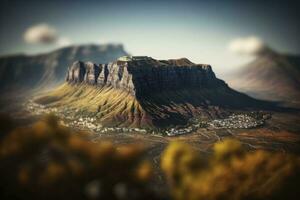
198,30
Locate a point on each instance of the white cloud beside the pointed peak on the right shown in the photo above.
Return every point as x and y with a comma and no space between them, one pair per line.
247,46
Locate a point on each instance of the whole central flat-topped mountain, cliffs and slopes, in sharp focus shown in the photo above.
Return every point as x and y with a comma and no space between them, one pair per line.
144,92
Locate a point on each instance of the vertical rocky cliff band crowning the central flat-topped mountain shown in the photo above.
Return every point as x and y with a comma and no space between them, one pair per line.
144,76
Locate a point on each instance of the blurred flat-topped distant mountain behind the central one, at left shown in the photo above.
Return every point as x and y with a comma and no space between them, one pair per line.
23,72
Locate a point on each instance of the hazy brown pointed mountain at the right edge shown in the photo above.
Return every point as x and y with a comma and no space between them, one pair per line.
271,76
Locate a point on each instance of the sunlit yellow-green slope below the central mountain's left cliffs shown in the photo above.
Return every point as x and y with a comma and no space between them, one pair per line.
110,106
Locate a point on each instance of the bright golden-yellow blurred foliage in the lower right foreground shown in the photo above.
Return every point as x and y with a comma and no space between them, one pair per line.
230,173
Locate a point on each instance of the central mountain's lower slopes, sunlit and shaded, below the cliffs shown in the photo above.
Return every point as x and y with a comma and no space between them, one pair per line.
116,107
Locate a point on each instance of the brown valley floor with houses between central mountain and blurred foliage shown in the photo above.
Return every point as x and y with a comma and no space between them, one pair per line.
280,131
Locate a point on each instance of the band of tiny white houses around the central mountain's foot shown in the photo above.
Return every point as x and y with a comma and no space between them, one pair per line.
234,121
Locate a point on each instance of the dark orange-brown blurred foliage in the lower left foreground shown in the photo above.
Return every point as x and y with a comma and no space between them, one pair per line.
48,161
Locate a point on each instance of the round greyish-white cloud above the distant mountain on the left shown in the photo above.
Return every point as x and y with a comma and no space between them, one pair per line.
40,34
